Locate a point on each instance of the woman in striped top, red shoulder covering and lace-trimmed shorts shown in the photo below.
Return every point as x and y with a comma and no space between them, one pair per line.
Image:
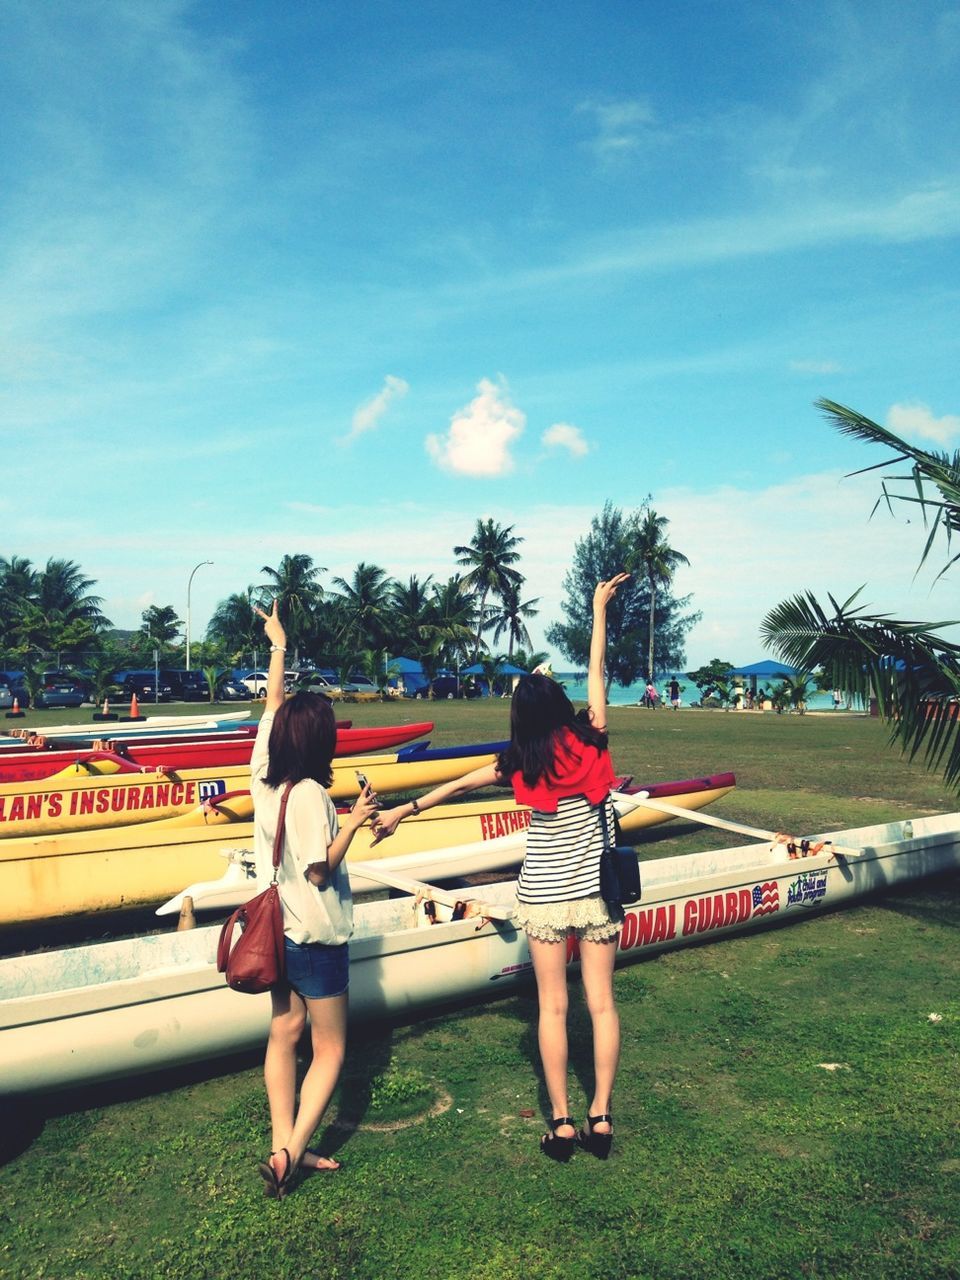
559,764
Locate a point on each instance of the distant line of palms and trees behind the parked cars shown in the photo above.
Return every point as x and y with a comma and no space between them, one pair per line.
481,615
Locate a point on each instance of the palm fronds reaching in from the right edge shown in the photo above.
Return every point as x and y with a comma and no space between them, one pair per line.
908,668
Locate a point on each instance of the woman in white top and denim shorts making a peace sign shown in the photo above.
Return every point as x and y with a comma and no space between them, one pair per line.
295,746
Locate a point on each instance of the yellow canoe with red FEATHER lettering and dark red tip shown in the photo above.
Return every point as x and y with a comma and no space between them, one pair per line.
80,872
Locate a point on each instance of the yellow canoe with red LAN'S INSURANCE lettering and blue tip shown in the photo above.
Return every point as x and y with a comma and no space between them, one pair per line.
74,801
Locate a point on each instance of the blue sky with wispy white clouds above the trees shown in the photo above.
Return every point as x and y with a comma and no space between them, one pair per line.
341,278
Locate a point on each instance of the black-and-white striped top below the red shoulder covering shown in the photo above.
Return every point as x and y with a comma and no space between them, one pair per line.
563,860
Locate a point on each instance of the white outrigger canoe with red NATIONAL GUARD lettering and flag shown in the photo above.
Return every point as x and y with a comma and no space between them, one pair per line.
88,1014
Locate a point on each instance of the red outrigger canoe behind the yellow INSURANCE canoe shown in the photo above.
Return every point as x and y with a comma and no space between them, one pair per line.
120,757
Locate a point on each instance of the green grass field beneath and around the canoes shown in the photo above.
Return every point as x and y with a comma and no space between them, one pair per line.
787,1107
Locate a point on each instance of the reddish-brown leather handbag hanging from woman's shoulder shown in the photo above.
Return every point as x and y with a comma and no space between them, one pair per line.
257,962
